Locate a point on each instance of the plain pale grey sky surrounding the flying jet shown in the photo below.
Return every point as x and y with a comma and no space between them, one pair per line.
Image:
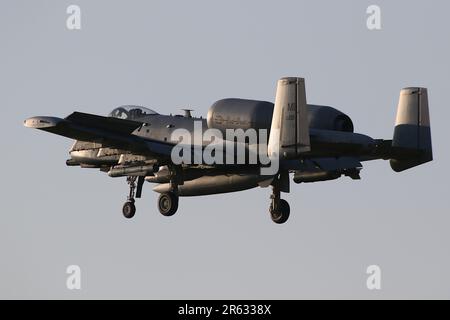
171,54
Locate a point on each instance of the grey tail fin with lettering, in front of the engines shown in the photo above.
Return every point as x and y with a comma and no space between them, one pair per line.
289,132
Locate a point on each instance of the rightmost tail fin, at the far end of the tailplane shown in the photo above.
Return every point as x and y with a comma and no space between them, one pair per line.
412,135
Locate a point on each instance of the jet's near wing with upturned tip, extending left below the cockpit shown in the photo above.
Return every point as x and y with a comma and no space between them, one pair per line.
110,131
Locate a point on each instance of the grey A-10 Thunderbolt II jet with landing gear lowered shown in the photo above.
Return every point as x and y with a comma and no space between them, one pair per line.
314,142
